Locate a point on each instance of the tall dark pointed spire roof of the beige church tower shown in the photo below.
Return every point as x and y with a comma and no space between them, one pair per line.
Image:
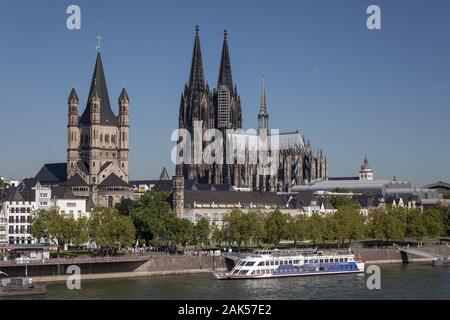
98,83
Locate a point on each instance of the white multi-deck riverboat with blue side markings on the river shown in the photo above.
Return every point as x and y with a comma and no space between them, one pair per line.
290,263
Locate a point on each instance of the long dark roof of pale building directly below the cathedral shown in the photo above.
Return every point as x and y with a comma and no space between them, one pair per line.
231,197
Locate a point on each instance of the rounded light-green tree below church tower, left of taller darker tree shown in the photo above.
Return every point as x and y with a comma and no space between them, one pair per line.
109,229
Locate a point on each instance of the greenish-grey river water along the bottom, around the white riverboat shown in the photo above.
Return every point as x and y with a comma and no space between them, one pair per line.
413,281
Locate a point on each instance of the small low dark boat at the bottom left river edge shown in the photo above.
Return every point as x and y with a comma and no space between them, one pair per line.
20,286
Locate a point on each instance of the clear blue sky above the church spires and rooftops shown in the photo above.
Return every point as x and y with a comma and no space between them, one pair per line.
348,89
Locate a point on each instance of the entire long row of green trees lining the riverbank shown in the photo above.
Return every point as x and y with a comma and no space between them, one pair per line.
150,220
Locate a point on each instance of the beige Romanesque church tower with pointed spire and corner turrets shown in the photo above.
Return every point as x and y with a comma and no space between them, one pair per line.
97,153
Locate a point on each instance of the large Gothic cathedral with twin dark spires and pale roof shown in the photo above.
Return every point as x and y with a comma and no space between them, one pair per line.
221,109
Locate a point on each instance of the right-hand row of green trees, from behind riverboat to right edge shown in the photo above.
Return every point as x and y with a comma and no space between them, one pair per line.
343,226
